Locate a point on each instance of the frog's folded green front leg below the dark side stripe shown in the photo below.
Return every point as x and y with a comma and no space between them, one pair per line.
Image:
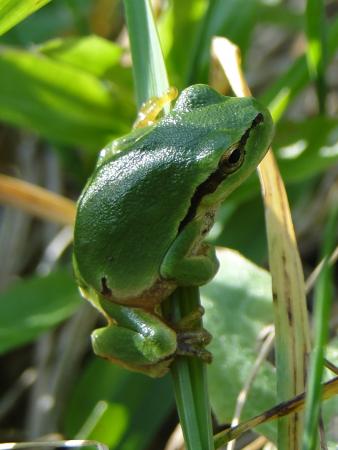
189,261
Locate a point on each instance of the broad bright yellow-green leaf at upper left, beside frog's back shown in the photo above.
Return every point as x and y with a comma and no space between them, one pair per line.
60,101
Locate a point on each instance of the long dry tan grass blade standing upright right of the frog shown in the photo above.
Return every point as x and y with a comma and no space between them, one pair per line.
291,321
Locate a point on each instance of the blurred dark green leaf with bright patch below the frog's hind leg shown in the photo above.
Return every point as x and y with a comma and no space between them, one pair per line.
141,404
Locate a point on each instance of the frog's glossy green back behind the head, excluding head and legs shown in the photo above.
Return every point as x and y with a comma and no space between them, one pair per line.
131,214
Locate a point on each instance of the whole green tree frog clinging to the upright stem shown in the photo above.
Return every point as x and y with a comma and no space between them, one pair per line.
135,240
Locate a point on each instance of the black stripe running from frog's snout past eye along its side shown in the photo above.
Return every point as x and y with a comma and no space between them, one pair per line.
215,179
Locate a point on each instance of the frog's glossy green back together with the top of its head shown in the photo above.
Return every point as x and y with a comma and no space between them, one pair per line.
131,211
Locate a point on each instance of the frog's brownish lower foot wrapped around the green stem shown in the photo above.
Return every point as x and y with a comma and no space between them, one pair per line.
191,337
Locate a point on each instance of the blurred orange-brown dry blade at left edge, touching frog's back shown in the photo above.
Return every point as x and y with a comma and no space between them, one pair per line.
36,200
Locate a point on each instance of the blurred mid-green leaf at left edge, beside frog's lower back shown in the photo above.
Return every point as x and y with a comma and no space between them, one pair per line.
30,307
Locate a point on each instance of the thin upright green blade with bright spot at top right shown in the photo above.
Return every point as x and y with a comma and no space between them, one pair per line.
316,51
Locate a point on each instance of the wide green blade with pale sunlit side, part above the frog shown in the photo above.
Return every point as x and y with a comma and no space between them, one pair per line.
150,75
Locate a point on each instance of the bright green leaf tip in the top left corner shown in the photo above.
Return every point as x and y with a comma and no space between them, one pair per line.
14,11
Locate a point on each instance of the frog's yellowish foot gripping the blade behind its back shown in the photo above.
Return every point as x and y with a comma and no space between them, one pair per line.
152,108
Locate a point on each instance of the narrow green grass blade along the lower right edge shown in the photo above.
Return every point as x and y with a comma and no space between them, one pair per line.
322,299
